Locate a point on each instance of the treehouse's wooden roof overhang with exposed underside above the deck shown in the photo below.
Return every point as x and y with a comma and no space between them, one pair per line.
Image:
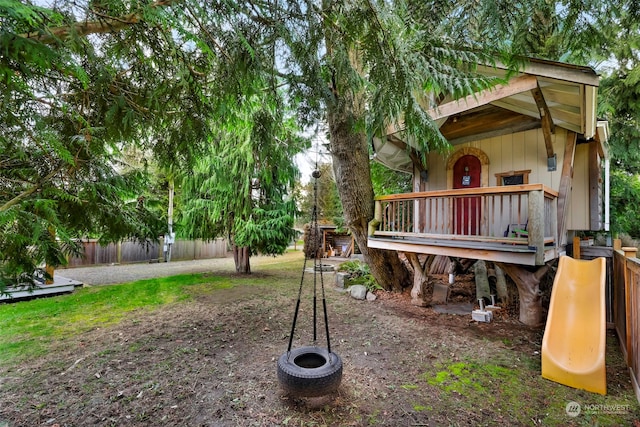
545,94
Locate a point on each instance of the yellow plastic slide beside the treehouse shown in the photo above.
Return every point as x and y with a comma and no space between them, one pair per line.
573,346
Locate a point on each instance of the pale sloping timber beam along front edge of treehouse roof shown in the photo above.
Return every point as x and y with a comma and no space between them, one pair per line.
516,85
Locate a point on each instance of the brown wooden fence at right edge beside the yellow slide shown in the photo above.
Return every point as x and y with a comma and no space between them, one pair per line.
626,305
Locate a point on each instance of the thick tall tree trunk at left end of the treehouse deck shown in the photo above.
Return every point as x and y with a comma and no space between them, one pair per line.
350,153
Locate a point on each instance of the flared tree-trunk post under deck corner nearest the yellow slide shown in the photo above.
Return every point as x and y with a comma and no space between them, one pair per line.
528,283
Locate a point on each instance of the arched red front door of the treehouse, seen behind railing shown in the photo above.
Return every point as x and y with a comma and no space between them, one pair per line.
466,174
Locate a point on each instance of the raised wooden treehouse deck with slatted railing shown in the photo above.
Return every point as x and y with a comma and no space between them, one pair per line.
515,224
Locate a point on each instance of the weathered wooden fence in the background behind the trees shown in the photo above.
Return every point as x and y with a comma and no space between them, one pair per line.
130,252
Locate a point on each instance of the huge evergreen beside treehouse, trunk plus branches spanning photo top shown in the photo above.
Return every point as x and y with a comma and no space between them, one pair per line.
165,72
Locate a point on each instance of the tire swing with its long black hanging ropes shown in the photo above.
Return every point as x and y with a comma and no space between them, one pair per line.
310,371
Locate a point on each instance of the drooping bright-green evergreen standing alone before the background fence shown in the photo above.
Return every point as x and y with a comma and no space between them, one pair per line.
241,188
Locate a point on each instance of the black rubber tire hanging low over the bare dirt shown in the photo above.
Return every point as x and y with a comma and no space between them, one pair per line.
309,372
